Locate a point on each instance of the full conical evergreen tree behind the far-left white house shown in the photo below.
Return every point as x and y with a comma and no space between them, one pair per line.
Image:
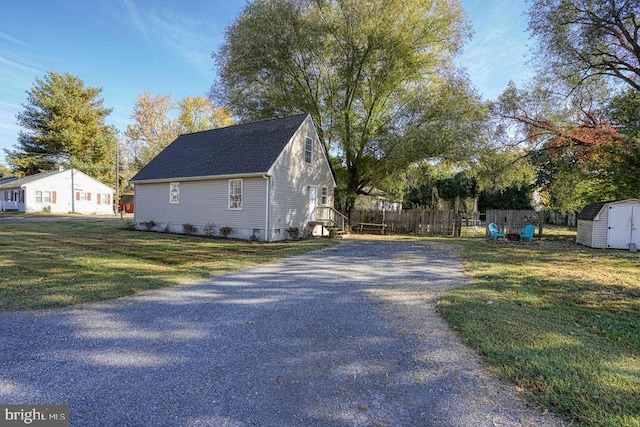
64,125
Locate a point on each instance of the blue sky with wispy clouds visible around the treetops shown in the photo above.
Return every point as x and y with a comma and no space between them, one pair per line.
127,47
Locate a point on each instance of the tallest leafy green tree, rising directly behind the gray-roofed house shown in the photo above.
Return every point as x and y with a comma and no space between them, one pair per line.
376,76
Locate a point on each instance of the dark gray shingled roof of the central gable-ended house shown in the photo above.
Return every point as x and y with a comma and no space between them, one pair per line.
249,148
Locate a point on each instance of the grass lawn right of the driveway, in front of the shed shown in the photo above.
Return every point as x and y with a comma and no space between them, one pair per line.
559,321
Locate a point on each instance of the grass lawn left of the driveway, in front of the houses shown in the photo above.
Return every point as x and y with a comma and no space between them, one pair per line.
59,263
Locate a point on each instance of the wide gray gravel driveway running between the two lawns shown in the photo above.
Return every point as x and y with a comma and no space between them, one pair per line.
344,337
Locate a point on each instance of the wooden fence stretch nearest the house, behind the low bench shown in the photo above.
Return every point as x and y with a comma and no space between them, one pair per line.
426,222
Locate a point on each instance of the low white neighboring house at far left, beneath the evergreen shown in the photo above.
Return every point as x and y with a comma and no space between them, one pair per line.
57,192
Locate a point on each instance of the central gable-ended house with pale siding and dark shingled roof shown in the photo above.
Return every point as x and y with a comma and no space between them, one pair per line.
261,179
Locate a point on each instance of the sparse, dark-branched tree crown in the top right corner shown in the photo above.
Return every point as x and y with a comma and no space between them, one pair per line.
583,39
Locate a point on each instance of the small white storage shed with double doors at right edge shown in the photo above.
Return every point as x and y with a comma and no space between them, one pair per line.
613,224
